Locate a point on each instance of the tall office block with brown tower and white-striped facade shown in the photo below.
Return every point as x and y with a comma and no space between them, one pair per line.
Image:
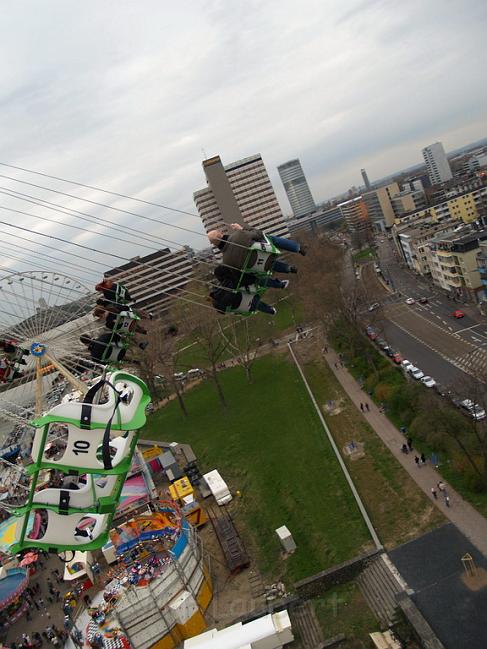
240,192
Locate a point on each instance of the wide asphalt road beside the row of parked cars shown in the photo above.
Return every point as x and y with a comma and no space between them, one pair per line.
453,351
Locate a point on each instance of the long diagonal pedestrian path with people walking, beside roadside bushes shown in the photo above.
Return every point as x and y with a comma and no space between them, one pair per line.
468,520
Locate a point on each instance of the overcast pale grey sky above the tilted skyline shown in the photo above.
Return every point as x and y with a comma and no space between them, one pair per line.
131,96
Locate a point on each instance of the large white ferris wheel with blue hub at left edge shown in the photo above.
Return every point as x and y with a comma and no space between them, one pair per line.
42,317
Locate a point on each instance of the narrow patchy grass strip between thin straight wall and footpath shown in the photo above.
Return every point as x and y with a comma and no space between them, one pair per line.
399,510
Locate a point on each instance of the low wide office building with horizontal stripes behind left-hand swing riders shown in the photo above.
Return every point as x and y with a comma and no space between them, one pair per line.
153,279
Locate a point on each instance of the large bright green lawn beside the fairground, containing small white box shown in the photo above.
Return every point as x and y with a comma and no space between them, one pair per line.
271,447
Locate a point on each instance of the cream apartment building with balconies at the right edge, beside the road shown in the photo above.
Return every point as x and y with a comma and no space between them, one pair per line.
453,261
